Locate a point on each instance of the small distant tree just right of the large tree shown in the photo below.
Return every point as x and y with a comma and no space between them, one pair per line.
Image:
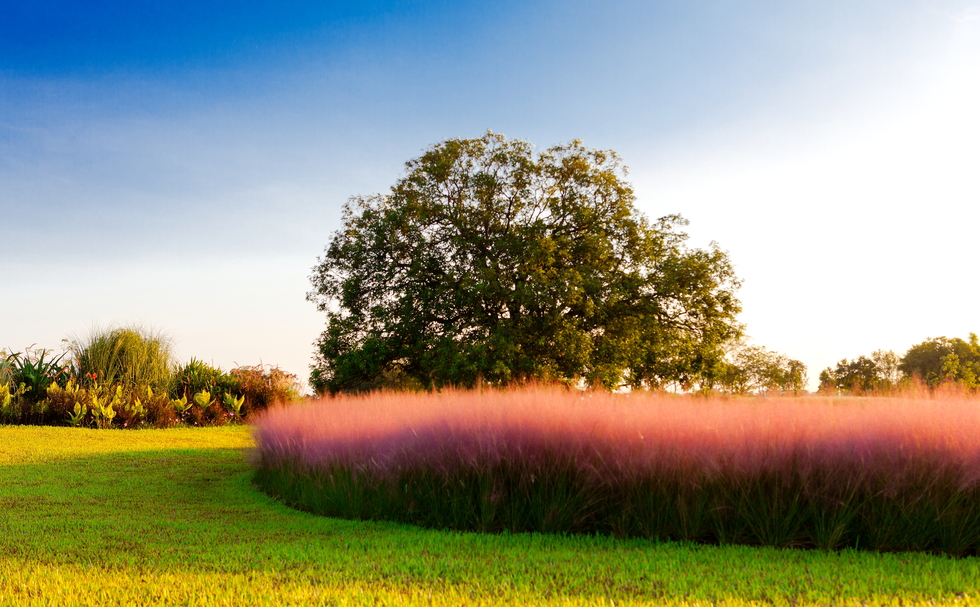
754,369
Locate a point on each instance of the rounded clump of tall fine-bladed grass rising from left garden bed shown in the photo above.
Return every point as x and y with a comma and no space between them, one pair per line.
130,356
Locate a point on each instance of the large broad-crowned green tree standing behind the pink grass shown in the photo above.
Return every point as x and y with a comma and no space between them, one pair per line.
490,262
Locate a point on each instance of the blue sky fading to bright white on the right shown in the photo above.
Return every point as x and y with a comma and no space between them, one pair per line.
181,165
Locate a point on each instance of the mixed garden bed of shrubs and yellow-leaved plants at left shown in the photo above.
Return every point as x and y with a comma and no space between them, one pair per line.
123,379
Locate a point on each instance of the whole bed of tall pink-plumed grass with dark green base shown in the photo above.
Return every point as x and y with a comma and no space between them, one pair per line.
882,474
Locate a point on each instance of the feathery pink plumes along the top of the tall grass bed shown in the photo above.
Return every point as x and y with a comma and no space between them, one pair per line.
884,435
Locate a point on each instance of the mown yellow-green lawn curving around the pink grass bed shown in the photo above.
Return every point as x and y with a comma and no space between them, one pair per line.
170,517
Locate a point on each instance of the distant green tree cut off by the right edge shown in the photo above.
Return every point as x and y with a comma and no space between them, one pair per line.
942,359
